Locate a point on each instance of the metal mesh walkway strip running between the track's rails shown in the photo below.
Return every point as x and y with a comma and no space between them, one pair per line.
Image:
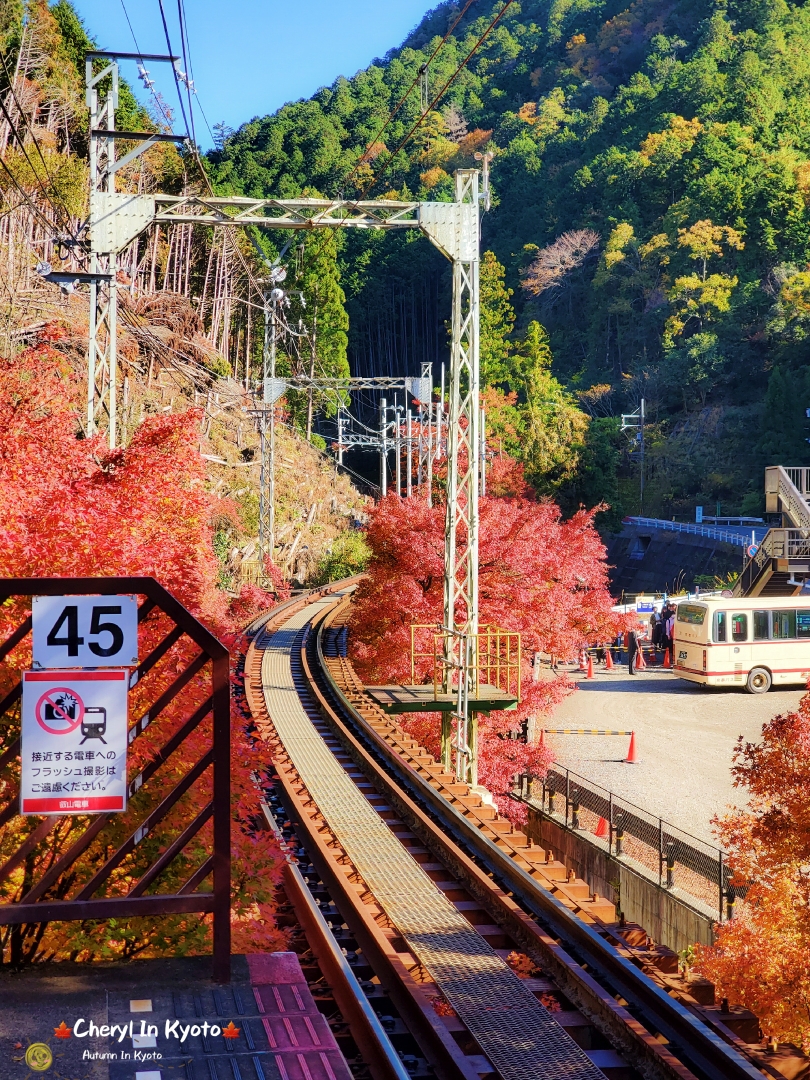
512,1029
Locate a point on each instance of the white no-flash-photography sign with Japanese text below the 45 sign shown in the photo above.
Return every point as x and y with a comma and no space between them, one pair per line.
74,742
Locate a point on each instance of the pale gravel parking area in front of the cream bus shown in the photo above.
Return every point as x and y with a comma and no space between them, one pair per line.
685,739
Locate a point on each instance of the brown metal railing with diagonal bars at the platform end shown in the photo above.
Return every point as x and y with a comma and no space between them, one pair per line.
82,879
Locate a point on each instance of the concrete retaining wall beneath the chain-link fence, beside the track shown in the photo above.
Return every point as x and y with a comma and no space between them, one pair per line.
667,916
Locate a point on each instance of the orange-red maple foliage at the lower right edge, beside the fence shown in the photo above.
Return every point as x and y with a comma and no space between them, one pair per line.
761,960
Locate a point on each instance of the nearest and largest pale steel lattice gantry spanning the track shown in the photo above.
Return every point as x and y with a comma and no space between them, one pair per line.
117,219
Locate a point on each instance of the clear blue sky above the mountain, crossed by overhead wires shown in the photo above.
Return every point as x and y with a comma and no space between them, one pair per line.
249,58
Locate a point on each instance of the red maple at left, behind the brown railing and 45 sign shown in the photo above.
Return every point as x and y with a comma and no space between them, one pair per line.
71,507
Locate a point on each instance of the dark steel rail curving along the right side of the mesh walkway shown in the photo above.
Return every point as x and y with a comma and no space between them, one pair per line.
693,1041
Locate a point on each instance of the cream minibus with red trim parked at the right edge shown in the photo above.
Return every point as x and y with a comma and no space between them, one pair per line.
752,642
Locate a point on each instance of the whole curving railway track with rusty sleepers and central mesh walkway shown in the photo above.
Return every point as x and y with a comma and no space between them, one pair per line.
428,900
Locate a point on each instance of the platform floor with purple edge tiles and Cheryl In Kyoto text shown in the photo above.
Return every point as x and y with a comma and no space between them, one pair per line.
276,1029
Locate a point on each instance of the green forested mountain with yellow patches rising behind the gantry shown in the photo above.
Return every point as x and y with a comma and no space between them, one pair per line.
652,178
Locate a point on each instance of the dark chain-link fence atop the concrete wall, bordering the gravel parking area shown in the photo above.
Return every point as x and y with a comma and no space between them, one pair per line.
680,861
